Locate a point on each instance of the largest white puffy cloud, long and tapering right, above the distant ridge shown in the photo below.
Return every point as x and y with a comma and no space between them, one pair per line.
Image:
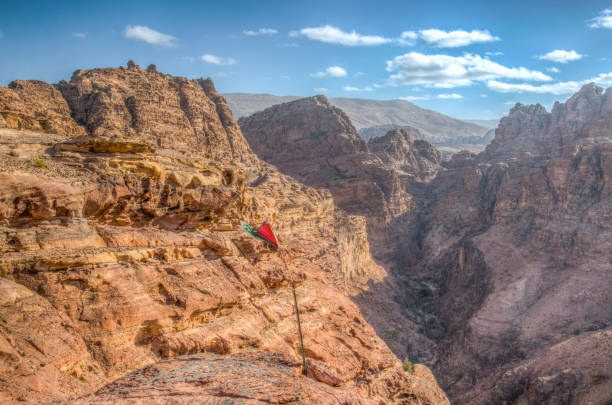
445,71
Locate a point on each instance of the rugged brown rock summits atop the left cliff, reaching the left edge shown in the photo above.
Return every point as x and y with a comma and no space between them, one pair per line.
135,104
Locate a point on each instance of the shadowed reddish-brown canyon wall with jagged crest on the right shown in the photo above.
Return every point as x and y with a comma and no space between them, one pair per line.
518,241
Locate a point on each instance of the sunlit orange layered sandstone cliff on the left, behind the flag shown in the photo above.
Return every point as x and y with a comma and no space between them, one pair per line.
121,198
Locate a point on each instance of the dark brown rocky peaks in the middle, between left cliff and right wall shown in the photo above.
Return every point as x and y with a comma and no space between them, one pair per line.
316,143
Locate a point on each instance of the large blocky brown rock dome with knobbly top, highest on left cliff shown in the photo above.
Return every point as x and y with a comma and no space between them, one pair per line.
170,112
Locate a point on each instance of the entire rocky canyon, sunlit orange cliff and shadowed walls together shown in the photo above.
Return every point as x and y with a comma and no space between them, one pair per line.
126,277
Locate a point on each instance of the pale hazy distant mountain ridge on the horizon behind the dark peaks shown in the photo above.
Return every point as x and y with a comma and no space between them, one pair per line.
375,118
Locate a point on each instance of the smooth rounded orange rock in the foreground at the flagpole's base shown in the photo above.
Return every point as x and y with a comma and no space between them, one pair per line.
246,378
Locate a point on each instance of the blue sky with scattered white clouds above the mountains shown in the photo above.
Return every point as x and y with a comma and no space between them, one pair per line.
469,60
